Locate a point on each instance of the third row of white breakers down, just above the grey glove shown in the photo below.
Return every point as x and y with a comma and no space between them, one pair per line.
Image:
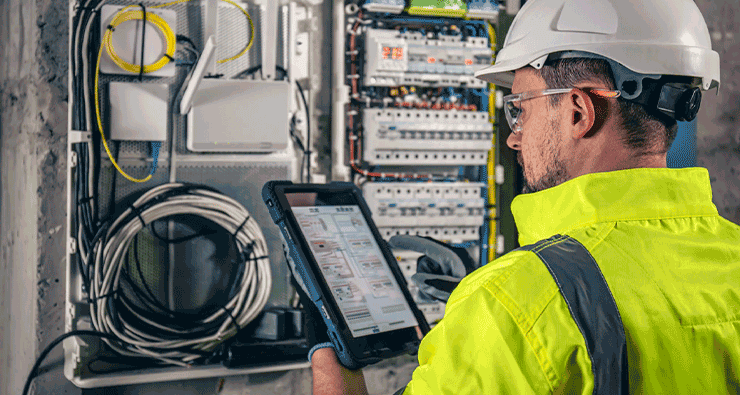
443,210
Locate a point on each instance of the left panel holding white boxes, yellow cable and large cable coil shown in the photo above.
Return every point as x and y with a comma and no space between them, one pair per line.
166,155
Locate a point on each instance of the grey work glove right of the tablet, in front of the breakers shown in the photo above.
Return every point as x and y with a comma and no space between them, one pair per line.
441,267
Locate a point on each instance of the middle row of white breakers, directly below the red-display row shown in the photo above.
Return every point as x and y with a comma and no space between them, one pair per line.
419,137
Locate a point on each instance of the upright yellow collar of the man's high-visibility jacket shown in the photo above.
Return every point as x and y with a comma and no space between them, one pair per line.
623,195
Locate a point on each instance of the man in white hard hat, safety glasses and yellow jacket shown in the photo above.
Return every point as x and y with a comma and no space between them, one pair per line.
598,87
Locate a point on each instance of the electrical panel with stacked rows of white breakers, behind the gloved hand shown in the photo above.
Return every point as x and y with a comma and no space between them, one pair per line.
418,125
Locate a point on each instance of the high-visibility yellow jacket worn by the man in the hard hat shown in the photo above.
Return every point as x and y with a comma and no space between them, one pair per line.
671,263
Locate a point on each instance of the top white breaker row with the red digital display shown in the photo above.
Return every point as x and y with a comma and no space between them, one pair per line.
395,58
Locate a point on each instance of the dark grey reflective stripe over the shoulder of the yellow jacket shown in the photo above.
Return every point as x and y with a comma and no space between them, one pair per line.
592,306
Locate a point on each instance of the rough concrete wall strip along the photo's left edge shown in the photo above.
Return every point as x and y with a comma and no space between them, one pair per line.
33,123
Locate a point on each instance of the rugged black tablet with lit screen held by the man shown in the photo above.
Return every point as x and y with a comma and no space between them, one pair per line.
339,259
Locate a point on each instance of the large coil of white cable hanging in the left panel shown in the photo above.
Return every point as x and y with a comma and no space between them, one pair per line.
153,332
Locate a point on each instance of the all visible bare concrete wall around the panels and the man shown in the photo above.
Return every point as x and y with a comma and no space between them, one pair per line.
33,108
